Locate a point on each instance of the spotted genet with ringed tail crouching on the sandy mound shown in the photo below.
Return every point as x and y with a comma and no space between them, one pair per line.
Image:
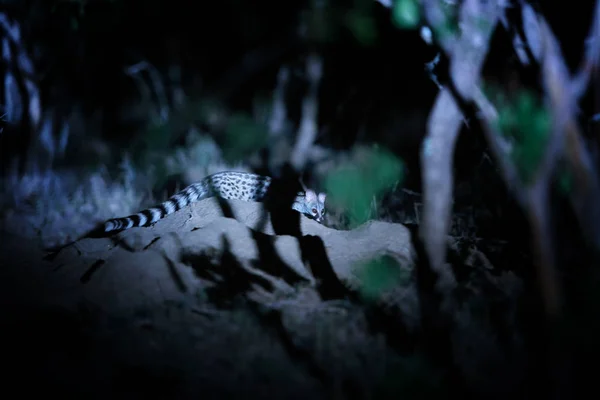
227,185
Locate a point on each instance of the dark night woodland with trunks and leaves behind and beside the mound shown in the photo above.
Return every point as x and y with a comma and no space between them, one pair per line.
484,144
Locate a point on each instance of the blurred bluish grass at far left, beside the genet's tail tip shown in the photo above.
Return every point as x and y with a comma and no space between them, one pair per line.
57,207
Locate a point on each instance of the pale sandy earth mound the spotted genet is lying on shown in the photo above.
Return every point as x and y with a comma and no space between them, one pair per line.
202,306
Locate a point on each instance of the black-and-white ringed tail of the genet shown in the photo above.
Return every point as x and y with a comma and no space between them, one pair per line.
195,192
